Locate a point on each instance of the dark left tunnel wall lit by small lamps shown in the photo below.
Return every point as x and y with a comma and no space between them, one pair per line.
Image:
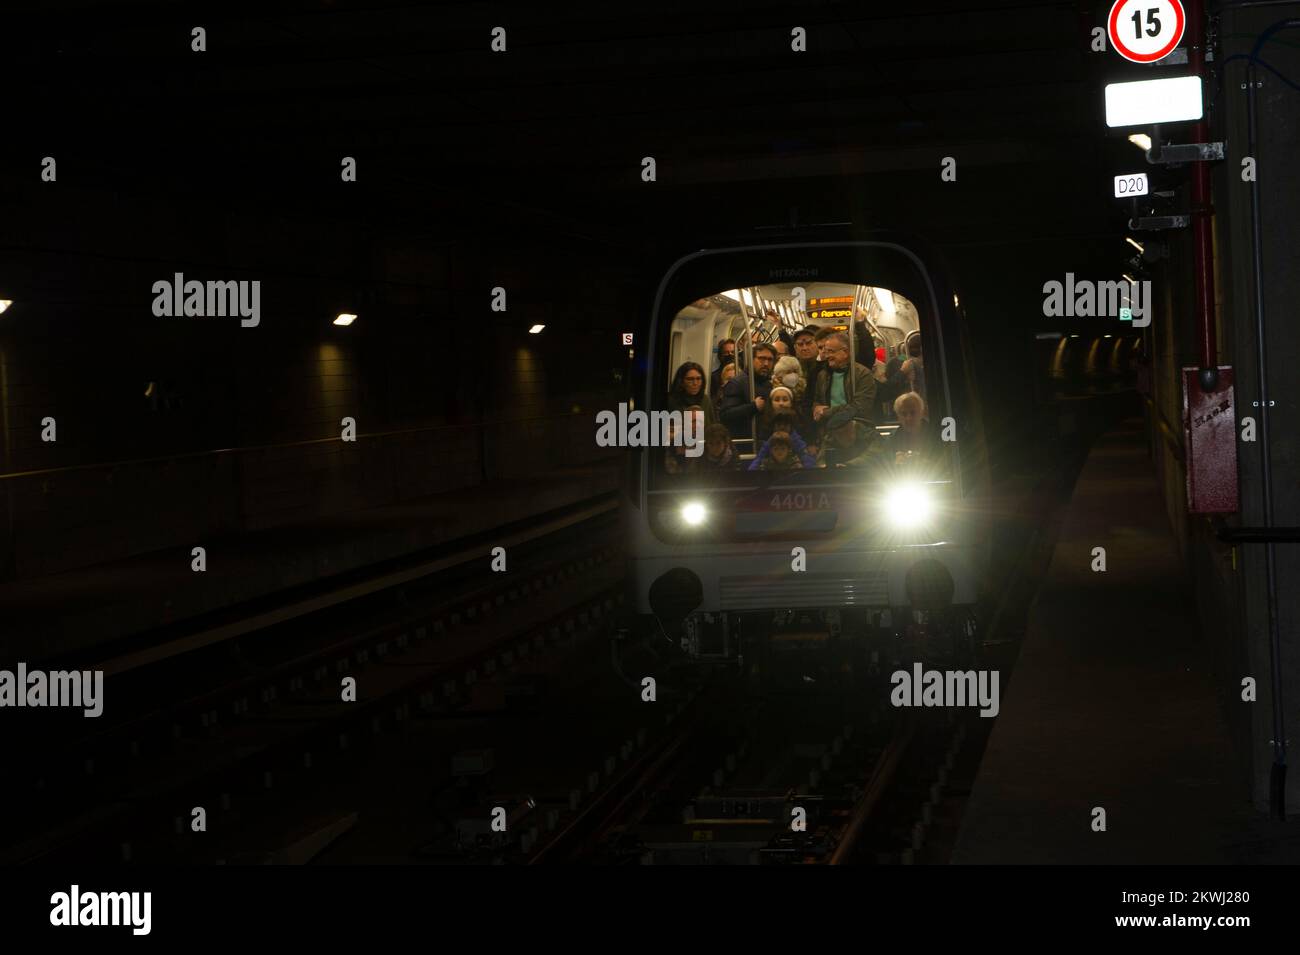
198,428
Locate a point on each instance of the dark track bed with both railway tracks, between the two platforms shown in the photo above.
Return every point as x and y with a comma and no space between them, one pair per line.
450,726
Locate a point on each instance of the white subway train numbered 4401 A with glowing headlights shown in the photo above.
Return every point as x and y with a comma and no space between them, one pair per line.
877,540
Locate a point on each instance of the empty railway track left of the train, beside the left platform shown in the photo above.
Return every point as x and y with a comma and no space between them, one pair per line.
254,718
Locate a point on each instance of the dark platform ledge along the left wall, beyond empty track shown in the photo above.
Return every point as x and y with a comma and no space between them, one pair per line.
254,576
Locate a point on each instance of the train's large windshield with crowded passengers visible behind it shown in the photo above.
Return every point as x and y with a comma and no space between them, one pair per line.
795,385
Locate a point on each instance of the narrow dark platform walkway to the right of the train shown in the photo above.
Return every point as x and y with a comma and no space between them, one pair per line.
1112,704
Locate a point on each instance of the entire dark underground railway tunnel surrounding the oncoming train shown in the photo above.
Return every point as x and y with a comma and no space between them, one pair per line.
314,553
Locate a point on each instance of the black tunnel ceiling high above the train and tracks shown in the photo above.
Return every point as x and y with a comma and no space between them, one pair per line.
436,120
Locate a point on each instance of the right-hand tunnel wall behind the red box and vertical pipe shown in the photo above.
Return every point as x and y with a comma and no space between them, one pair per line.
1230,583
